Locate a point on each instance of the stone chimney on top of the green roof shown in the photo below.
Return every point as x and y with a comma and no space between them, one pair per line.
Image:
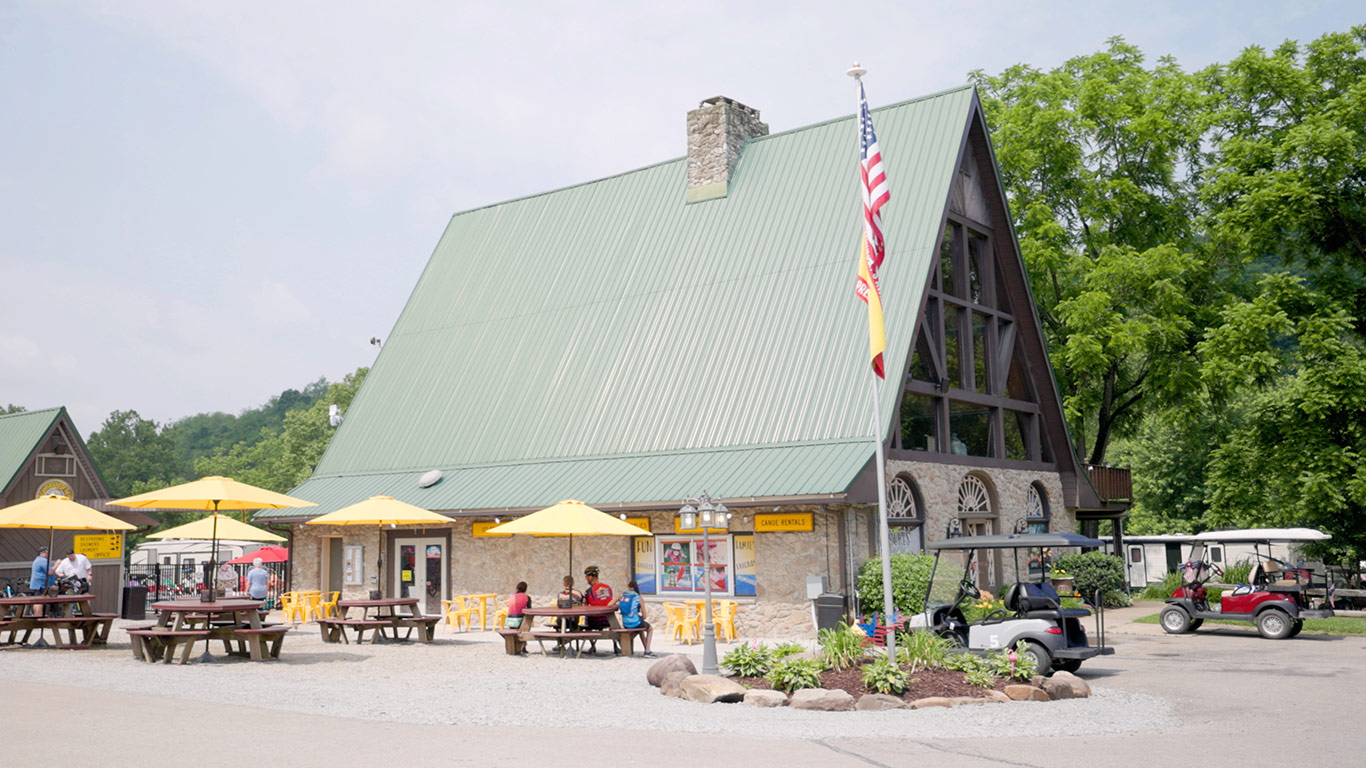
716,132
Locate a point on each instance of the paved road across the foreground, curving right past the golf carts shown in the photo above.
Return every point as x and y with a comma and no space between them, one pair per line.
1241,702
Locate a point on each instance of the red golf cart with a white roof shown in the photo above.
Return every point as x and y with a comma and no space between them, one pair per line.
1275,596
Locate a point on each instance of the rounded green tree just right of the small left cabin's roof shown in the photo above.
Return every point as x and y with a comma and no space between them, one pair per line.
130,450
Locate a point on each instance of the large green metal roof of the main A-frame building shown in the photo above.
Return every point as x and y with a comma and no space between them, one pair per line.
614,322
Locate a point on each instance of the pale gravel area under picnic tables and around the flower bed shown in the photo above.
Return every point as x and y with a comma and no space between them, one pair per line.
469,680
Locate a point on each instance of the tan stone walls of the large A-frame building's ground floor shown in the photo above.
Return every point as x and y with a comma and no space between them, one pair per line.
783,561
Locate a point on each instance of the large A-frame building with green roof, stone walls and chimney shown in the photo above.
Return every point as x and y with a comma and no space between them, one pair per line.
692,327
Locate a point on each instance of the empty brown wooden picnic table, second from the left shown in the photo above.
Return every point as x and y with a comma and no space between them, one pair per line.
186,622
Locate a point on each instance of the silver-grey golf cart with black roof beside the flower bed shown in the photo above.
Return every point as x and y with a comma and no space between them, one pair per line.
1033,622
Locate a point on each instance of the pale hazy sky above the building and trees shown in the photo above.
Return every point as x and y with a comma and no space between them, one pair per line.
206,204
